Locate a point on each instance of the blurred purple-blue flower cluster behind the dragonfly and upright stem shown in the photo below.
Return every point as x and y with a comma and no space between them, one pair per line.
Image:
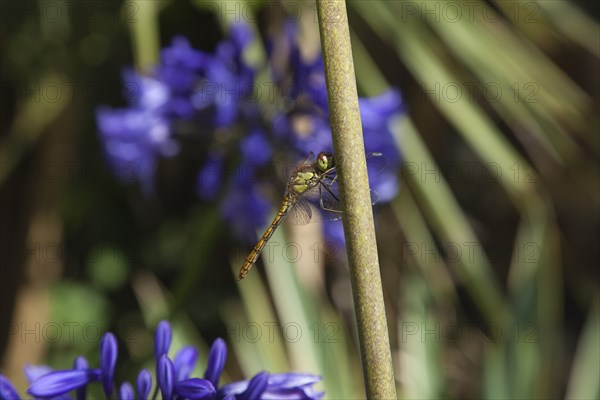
214,95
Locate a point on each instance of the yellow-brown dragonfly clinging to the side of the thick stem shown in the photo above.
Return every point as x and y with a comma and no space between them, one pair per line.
304,181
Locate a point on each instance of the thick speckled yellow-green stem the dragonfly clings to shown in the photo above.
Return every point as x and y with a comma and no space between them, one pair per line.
356,199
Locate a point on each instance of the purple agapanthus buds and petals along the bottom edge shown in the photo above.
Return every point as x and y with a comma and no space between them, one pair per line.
172,376
